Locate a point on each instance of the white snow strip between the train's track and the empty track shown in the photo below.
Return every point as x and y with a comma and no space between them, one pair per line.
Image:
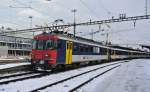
30,84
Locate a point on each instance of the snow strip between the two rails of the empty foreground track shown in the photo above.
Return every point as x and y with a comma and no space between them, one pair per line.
70,84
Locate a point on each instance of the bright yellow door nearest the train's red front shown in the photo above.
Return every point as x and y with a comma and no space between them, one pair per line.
69,46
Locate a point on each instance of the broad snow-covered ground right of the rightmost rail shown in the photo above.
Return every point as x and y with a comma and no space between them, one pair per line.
133,76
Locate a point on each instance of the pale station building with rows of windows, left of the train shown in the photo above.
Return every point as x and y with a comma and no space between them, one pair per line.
15,46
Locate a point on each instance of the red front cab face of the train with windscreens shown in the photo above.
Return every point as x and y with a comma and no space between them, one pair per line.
44,52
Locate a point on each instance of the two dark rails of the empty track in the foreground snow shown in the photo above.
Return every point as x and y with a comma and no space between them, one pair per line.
78,75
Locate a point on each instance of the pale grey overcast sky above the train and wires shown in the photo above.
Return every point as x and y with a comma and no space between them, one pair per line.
45,12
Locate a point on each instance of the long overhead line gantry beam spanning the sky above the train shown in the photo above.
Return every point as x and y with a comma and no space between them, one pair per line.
83,24
